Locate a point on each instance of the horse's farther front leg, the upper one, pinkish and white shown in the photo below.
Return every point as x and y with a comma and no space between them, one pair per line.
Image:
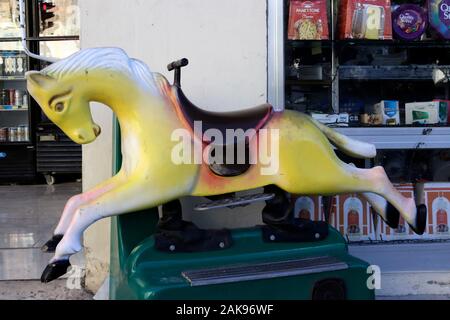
76,202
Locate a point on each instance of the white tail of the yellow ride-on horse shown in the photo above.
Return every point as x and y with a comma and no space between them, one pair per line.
349,146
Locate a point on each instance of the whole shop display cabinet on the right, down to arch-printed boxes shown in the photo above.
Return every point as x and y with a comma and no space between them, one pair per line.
378,71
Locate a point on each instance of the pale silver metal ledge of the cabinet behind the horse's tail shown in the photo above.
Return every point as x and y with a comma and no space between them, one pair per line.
426,137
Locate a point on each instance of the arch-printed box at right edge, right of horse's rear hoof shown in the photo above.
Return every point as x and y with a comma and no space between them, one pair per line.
437,197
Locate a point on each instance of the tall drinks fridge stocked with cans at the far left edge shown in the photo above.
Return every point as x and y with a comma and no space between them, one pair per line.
16,143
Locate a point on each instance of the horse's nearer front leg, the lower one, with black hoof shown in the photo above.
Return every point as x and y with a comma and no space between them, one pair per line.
132,195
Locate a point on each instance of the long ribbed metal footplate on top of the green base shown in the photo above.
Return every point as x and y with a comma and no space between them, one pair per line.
203,277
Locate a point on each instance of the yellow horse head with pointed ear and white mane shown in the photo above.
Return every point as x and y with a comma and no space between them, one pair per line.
64,89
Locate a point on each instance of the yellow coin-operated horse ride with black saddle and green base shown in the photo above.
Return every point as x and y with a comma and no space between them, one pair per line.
162,256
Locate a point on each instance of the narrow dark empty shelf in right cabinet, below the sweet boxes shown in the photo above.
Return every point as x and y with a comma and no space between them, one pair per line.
409,72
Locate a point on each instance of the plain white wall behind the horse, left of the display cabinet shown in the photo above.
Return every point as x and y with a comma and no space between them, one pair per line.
226,43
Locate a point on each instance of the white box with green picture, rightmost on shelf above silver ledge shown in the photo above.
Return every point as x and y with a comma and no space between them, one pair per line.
431,112
